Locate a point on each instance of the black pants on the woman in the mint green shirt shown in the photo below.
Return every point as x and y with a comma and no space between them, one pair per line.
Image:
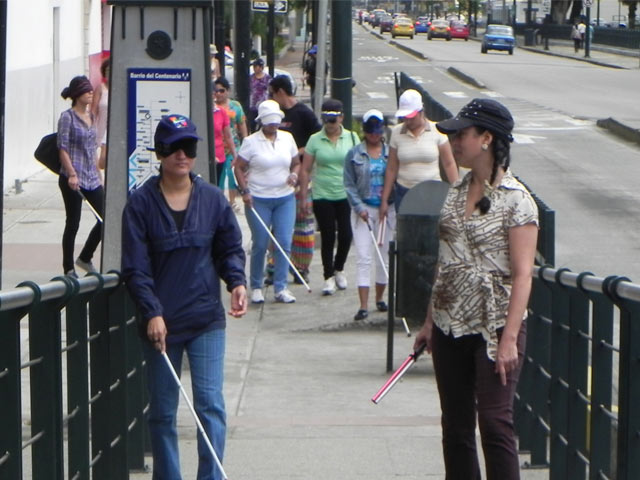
333,216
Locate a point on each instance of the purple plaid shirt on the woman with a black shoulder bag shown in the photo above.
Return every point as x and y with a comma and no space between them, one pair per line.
80,142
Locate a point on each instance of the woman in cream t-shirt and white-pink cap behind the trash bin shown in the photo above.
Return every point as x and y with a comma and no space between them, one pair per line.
417,151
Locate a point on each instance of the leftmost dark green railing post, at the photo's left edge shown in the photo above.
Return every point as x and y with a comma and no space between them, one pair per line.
10,395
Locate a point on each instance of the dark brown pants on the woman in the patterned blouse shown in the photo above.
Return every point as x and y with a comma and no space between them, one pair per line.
468,386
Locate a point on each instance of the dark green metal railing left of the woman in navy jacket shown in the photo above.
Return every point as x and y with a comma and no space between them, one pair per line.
71,382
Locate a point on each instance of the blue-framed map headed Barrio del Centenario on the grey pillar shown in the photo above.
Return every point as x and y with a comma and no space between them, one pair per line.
152,93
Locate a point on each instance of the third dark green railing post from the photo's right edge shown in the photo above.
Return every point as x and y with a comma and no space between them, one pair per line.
559,375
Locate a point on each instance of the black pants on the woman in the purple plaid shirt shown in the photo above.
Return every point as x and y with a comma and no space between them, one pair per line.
73,208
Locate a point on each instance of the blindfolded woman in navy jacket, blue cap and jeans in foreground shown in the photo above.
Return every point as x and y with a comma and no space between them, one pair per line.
179,237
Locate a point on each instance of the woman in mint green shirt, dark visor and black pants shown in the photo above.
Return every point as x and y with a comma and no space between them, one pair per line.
323,165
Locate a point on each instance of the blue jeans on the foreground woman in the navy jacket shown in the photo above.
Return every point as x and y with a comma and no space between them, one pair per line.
206,362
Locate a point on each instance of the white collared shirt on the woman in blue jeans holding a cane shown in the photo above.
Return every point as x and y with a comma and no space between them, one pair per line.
269,163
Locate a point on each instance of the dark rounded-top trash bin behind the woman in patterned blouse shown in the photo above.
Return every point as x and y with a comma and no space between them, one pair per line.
417,249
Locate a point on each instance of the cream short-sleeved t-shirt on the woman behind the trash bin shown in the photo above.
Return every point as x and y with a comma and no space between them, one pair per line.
418,157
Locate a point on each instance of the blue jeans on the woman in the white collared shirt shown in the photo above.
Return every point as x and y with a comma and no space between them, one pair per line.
279,214
